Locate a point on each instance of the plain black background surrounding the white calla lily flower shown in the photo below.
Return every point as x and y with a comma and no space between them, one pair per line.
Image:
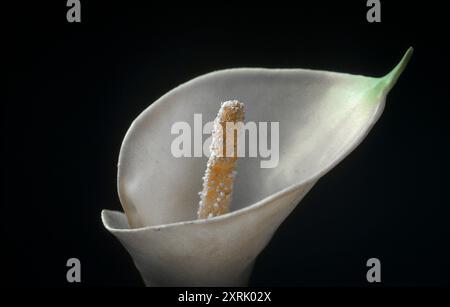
74,89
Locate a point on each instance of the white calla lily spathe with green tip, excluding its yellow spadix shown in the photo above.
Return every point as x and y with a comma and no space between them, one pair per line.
322,117
